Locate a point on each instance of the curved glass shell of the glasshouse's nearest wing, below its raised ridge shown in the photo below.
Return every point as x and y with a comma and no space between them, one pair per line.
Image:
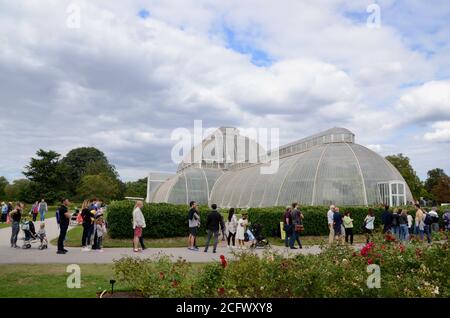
335,173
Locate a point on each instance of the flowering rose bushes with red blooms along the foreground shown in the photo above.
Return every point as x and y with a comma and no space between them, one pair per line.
415,270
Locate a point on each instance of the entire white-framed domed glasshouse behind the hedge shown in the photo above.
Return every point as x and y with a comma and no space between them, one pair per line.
322,169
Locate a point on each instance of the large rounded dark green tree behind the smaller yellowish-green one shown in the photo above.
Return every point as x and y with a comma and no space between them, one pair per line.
86,161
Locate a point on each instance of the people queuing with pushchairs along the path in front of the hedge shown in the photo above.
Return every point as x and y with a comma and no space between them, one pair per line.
235,230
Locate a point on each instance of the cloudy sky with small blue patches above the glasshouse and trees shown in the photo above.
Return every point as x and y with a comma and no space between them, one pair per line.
122,75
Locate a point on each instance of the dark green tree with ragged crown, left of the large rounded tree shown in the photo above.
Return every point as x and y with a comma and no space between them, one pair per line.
48,175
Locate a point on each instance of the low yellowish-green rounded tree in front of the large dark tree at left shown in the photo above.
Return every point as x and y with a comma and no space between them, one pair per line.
99,186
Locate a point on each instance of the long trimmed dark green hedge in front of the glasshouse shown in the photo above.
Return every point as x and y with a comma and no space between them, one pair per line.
169,220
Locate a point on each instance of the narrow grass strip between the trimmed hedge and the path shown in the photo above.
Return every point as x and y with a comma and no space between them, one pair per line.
74,240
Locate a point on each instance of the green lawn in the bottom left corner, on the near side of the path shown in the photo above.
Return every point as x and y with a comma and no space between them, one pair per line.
49,281
